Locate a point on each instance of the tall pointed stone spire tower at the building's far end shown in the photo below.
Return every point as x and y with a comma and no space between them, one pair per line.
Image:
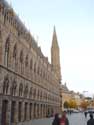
55,57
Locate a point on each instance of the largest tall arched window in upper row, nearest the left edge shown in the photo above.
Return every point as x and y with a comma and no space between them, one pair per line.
7,44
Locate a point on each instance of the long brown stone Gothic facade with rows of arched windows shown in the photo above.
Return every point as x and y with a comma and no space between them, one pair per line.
29,87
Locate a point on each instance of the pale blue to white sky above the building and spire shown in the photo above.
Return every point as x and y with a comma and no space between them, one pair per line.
74,22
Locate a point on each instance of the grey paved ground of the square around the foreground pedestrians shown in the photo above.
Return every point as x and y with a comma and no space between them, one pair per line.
74,119
